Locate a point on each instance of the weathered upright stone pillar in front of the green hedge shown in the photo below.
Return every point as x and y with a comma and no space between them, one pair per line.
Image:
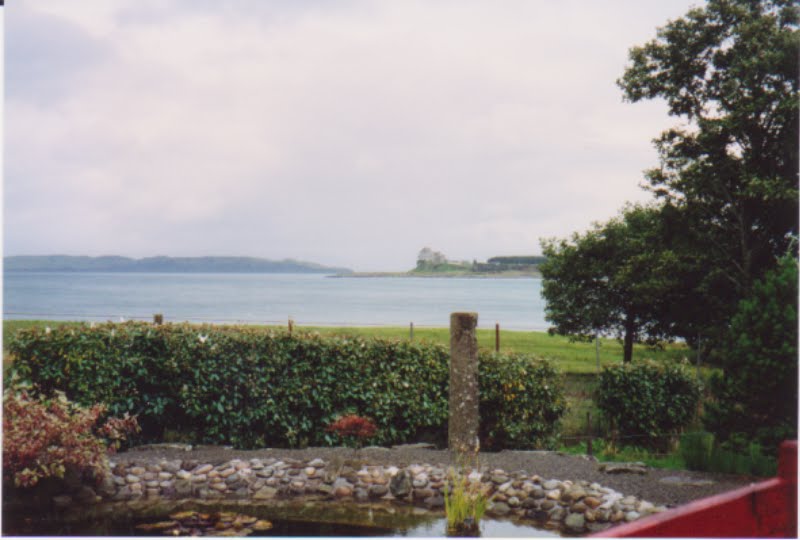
462,425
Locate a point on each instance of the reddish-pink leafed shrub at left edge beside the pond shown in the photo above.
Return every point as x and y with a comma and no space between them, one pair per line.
43,438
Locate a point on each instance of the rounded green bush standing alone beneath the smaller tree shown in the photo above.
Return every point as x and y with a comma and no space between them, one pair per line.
647,400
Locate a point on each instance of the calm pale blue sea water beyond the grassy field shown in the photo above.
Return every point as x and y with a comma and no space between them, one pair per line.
310,299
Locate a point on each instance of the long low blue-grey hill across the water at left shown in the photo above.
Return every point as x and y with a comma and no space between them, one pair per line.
114,263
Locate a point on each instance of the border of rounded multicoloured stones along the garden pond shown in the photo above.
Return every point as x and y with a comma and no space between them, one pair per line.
575,507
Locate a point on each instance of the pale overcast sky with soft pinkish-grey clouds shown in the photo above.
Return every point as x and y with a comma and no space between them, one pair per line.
348,133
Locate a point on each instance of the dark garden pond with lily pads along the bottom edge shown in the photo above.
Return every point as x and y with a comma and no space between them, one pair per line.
247,519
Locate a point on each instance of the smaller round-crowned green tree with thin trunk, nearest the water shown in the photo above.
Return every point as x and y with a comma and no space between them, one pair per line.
616,278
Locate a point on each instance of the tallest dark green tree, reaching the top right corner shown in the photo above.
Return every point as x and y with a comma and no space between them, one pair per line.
729,70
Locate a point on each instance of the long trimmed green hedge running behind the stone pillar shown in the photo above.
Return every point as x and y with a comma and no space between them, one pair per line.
252,387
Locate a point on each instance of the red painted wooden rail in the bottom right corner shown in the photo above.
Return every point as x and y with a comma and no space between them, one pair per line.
767,509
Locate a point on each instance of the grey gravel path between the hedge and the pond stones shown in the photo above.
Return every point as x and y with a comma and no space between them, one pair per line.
548,465
